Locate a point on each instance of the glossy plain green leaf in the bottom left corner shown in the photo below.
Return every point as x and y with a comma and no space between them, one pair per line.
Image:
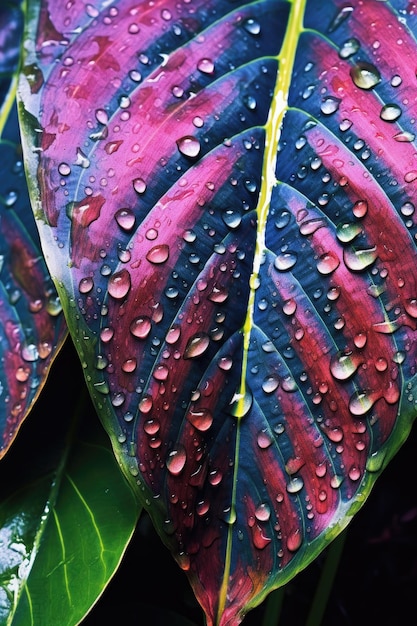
63,534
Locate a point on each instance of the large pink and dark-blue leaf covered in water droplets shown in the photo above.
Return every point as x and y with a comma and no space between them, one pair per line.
225,194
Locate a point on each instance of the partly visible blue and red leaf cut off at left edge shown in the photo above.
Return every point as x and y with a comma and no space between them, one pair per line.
32,326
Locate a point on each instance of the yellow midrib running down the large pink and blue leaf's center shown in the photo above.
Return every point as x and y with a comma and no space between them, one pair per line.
273,126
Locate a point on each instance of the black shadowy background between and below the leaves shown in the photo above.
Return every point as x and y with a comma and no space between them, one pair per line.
376,582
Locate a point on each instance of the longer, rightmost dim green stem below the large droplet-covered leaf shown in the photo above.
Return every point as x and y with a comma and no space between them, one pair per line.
325,584
